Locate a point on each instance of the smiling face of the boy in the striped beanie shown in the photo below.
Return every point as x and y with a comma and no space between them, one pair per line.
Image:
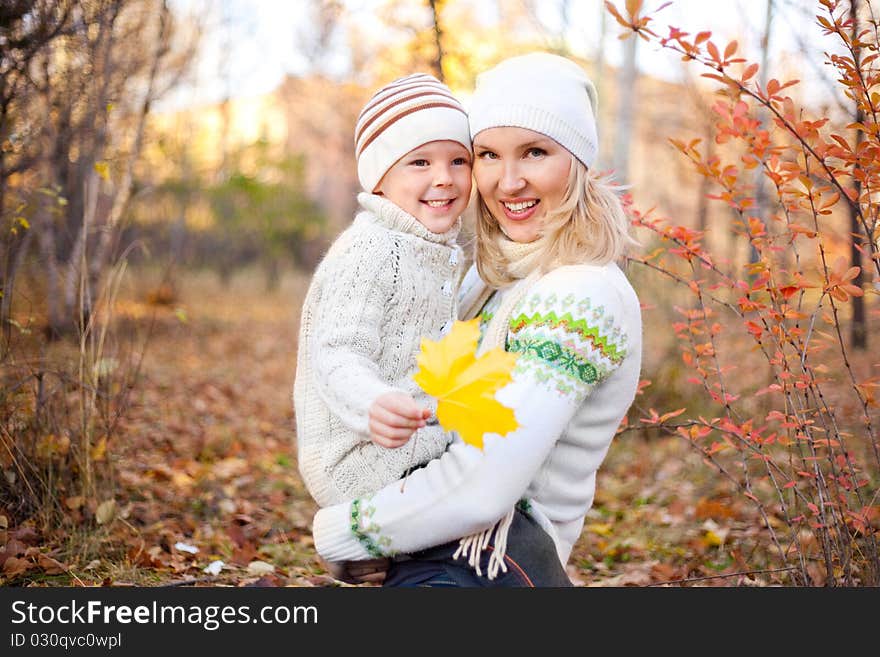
432,183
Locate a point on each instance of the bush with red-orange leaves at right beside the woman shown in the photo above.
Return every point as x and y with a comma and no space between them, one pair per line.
775,345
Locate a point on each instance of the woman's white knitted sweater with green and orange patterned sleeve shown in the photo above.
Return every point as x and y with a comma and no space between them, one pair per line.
578,333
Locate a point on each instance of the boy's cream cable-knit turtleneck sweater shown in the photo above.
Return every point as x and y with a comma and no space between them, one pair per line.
385,283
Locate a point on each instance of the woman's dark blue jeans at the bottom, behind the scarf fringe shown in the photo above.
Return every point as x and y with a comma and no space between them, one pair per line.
531,561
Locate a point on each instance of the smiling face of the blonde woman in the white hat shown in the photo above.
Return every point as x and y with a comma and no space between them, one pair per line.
521,175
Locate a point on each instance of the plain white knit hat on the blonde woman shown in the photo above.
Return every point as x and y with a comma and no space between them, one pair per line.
541,92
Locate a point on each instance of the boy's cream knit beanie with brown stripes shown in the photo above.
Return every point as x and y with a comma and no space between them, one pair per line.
402,116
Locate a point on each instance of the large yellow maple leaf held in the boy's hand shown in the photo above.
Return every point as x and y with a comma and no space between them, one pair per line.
465,385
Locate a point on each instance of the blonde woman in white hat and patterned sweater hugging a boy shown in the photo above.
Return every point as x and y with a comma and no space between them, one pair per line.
545,286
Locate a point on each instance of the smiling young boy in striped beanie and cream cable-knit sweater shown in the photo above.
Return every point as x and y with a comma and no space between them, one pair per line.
387,281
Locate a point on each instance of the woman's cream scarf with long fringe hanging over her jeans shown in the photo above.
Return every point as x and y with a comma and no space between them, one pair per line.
522,264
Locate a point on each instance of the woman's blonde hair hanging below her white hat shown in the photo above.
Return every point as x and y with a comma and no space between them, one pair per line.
588,227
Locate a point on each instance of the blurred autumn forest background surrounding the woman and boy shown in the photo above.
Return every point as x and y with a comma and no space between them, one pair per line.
159,221
